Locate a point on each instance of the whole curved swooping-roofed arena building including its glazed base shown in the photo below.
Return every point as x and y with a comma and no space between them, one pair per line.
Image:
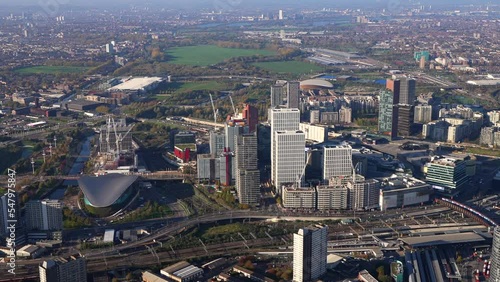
106,194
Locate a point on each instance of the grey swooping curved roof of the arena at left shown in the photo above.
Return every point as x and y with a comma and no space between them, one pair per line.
104,190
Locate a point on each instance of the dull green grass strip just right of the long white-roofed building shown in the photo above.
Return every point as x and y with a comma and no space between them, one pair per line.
186,87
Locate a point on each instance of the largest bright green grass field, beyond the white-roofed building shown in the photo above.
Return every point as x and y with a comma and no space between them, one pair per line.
205,55
